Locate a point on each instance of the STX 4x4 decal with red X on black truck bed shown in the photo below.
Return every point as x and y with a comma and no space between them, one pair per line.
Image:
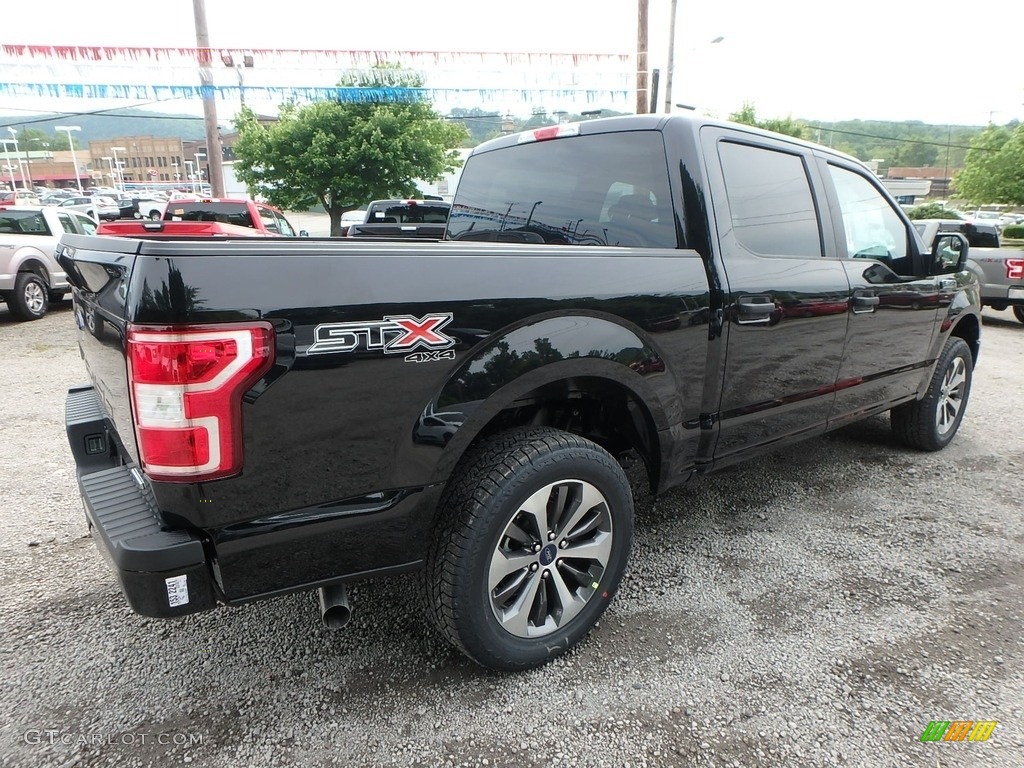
394,335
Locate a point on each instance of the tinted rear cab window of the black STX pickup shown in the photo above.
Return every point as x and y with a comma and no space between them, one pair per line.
622,199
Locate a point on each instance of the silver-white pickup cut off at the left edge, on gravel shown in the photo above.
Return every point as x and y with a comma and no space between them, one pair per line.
30,277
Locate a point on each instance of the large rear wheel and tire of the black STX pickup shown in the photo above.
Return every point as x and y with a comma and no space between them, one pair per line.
490,558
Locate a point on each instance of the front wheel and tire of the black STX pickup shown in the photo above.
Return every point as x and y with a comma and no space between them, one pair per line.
930,424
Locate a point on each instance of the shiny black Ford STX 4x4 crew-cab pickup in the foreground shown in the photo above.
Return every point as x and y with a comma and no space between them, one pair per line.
274,416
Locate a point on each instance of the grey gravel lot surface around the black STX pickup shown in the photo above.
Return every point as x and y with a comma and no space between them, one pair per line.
816,608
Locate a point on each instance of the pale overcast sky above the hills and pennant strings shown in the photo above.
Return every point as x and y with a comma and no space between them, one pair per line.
872,60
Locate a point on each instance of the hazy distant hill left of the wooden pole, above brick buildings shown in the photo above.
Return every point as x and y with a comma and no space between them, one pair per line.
115,123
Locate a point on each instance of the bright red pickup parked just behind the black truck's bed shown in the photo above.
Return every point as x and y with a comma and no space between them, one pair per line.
210,218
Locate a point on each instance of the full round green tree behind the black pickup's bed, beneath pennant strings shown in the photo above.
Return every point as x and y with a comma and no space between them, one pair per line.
346,154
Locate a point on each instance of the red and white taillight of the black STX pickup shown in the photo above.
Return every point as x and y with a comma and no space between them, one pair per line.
187,388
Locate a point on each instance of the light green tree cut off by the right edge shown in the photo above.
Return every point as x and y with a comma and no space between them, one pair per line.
994,170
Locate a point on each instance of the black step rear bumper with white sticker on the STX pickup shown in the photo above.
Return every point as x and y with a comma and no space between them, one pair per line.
163,573
